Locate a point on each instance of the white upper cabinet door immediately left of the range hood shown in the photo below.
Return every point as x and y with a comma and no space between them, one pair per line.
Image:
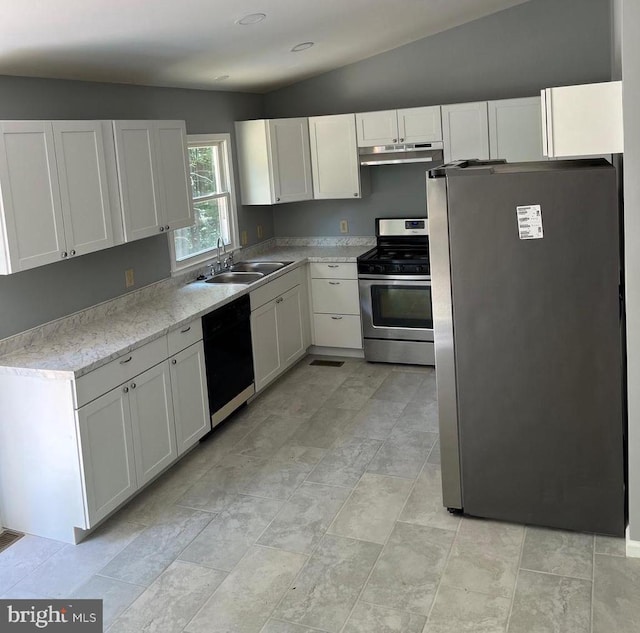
334,157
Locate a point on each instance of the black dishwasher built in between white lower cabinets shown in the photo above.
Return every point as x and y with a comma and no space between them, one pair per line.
228,357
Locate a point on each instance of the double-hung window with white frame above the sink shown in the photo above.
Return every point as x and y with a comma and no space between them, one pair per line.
214,204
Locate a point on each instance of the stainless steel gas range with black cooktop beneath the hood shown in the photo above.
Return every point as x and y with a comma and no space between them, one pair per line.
394,279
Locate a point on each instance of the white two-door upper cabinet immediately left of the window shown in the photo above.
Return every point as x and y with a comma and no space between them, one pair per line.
152,169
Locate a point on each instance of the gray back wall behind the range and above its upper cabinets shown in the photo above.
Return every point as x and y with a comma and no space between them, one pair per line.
514,53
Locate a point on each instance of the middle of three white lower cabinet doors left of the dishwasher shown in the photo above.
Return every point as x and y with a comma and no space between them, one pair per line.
152,422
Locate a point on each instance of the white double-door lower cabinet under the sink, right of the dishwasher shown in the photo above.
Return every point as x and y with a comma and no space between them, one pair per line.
277,327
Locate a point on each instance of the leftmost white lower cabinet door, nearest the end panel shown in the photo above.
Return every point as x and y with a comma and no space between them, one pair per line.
106,449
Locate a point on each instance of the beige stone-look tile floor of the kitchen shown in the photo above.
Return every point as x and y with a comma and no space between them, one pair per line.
317,509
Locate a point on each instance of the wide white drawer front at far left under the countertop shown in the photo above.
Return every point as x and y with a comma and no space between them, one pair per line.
114,373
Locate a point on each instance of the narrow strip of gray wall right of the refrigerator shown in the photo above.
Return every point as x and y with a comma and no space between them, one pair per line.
631,106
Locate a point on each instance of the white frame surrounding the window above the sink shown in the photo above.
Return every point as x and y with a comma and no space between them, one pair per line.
196,261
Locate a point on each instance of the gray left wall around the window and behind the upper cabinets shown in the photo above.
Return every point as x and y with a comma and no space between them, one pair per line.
37,296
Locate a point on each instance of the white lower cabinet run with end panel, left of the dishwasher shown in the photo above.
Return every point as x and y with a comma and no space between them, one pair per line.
92,442
